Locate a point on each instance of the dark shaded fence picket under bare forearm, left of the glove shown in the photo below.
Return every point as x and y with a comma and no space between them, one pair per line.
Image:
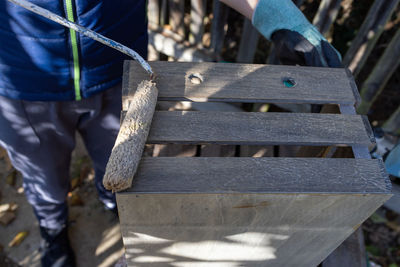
248,43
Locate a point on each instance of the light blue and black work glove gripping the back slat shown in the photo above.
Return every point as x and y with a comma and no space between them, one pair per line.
296,40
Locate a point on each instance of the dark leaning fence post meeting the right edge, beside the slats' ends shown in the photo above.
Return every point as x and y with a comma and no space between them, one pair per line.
381,74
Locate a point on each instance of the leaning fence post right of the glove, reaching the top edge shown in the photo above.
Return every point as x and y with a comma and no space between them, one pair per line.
368,35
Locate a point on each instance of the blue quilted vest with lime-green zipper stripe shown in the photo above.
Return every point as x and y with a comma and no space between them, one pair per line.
41,60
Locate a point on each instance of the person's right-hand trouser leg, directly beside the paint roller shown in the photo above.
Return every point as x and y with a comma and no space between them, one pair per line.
99,129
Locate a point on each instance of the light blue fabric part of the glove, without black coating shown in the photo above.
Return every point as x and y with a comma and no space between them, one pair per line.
272,15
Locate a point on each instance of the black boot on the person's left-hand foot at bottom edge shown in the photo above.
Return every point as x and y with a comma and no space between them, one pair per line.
55,248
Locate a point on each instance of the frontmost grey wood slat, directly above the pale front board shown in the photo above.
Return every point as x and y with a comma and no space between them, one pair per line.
260,175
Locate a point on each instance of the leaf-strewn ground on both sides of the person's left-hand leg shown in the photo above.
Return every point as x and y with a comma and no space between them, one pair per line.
94,232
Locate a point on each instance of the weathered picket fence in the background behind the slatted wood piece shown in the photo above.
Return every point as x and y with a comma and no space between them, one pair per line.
195,30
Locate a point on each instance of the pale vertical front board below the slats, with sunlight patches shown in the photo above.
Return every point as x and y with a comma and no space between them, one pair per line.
232,230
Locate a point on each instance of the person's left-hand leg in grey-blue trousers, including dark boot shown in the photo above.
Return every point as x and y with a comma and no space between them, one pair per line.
39,139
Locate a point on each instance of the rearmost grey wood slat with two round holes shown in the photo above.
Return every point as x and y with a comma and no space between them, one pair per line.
243,83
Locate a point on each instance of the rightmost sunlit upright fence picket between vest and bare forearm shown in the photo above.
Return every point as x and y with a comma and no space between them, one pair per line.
197,13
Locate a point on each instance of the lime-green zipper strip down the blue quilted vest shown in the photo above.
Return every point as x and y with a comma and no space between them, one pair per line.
75,54
